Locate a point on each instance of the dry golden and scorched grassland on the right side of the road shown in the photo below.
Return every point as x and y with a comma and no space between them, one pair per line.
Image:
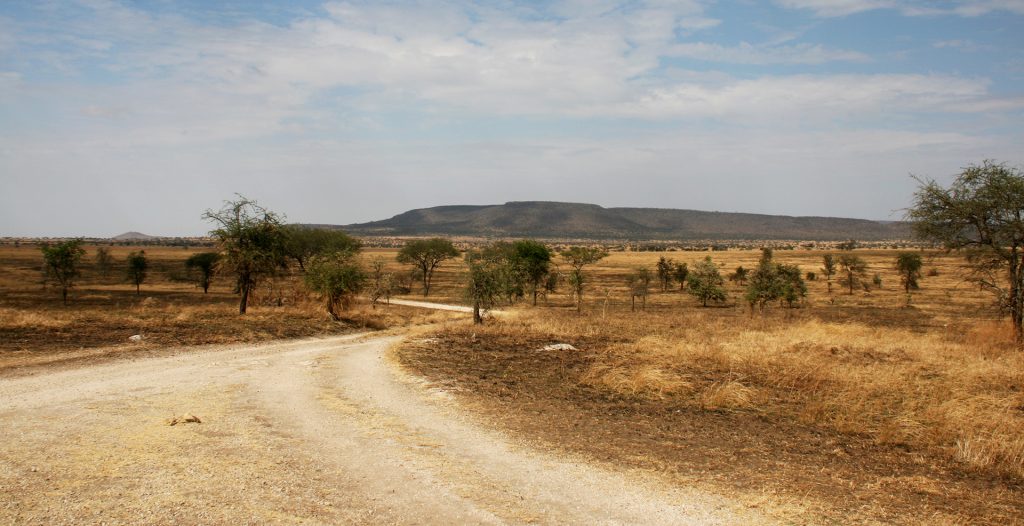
915,407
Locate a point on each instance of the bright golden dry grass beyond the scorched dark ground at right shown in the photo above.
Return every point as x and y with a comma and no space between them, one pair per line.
956,393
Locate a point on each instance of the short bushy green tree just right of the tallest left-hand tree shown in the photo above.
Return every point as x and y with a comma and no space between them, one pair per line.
337,278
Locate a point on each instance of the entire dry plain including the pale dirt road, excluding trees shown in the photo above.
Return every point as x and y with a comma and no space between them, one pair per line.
872,408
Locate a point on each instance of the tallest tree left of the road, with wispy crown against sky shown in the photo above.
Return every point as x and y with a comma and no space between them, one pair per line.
251,242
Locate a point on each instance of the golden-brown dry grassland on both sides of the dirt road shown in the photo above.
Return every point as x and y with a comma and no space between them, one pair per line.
920,407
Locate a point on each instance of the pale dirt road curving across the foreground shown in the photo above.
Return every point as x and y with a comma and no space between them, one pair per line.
323,431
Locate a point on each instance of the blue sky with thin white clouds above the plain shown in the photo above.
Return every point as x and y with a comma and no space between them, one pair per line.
121,116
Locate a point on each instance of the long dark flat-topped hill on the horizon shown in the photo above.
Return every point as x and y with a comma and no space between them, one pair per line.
577,221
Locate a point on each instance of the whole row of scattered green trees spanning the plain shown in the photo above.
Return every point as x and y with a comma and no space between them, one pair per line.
980,215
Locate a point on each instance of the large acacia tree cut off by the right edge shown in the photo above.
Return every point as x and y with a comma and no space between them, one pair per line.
982,213
